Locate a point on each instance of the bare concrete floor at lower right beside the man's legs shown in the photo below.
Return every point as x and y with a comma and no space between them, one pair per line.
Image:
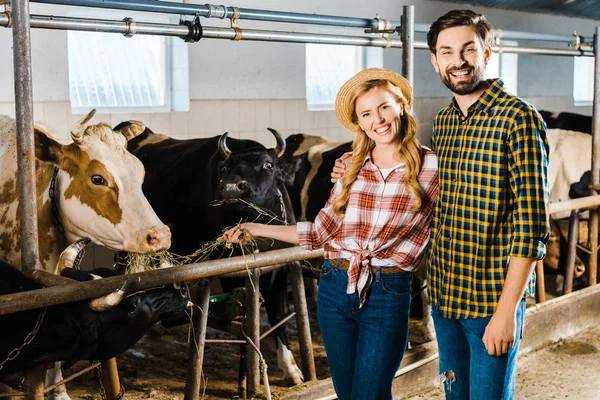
568,369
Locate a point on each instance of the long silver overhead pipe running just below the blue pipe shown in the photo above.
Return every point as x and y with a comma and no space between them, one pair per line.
94,25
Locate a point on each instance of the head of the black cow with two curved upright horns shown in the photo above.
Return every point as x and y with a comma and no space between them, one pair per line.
252,174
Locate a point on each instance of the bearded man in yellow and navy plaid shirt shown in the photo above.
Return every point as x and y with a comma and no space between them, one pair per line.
491,220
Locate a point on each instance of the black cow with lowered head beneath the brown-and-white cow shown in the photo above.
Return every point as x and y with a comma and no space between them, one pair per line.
73,332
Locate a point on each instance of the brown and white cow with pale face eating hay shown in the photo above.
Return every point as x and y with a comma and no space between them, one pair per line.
98,196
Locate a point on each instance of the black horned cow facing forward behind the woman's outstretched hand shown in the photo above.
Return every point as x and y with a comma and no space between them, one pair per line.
183,180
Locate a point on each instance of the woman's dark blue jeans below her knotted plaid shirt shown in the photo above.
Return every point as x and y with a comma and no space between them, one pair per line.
364,346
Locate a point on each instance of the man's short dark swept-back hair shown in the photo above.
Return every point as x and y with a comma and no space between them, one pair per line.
453,18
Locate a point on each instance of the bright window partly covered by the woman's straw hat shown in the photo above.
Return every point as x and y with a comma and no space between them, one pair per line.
329,66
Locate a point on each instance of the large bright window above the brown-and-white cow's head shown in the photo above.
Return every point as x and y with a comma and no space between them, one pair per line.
113,73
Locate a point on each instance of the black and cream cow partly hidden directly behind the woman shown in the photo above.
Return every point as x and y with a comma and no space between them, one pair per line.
308,161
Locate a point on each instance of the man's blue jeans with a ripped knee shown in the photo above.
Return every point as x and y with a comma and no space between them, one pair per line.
466,369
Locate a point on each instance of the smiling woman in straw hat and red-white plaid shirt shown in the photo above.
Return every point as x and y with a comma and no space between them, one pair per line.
374,230
